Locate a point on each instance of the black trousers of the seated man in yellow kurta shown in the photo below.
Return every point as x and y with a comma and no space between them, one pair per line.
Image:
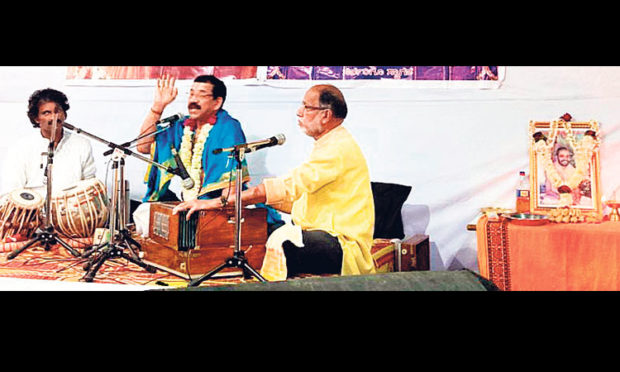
321,254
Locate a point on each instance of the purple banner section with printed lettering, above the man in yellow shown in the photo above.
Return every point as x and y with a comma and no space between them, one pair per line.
382,72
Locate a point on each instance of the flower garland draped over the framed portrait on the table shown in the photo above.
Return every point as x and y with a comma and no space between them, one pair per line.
583,153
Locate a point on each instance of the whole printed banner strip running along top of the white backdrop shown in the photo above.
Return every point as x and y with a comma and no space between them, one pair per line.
457,76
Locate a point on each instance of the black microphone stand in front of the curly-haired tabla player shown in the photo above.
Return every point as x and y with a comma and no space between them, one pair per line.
47,236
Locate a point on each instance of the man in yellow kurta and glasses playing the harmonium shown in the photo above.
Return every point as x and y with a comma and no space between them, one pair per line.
329,198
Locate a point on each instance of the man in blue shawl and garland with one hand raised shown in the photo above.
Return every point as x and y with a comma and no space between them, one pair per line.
194,137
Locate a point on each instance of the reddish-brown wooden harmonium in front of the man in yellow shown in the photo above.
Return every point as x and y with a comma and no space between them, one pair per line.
191,248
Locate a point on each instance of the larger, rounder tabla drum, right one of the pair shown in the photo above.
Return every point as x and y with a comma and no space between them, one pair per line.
77,211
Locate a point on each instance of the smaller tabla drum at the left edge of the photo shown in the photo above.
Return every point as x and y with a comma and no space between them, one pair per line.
20,213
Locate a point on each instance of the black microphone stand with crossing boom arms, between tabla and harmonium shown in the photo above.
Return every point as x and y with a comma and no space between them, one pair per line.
121,239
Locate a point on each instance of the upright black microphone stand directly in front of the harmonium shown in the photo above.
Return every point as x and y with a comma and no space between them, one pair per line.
238,258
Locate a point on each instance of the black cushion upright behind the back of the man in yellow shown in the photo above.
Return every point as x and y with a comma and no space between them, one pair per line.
389,199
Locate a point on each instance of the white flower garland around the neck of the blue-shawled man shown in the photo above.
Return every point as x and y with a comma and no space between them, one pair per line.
191,156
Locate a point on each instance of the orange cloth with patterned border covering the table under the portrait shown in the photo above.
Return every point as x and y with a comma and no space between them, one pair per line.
551,257
